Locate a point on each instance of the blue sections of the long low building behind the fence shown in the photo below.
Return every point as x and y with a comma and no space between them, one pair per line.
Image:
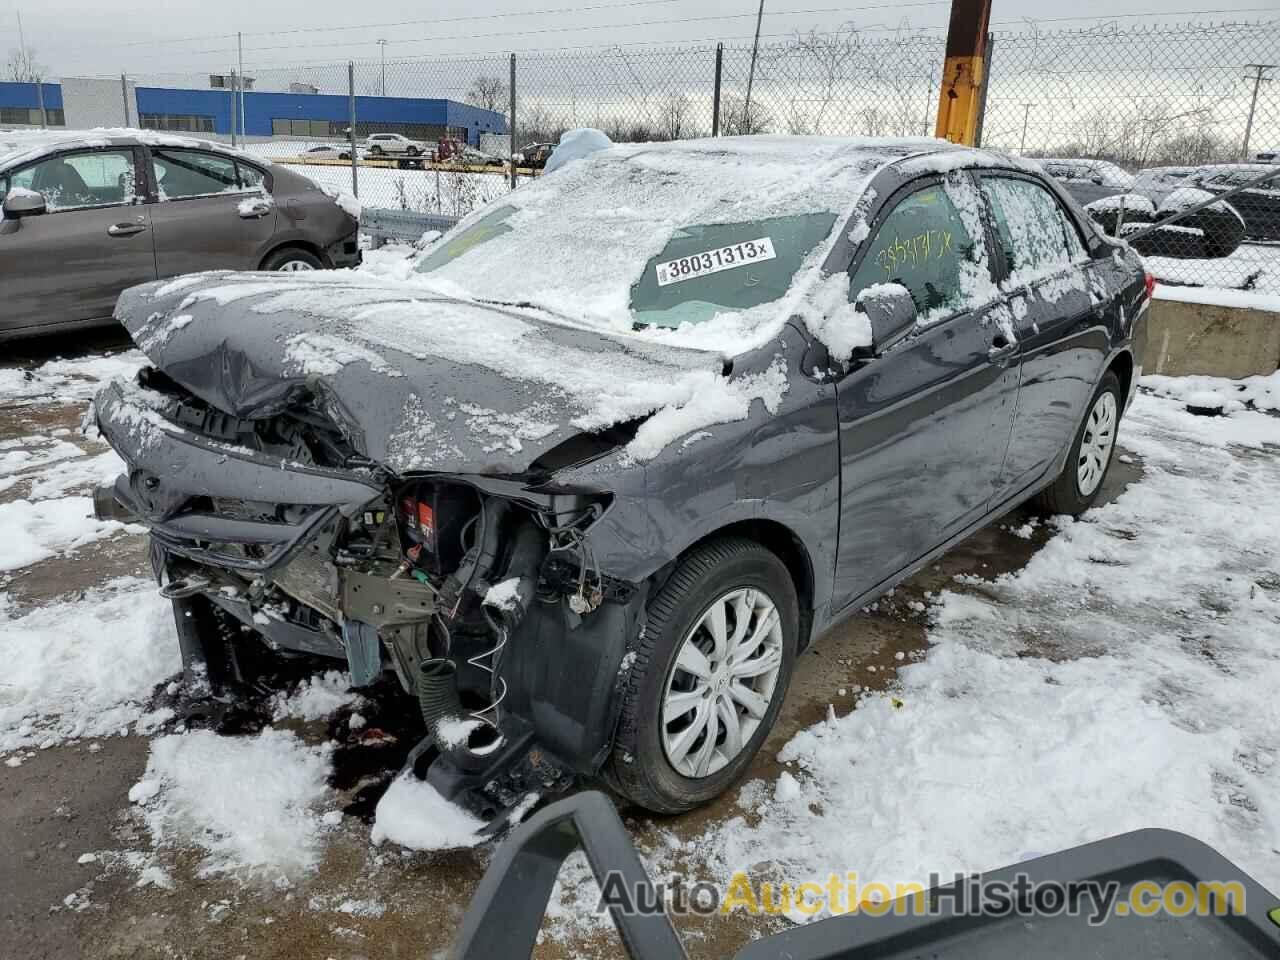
313,116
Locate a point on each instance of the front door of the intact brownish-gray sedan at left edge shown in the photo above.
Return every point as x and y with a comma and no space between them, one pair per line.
70,264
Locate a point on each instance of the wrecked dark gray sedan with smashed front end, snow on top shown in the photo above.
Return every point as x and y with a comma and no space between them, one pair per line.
591,473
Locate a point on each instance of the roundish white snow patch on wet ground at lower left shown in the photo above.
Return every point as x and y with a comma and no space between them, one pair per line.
249,803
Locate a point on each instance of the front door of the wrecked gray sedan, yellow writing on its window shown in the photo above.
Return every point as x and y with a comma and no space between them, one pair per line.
924,429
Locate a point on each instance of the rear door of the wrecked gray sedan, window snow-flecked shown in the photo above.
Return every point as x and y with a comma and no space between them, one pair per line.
1059,301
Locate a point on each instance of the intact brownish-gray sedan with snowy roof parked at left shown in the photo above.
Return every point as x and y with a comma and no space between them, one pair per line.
88,216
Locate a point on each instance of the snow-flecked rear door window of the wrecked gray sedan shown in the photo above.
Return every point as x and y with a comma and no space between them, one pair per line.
1036,235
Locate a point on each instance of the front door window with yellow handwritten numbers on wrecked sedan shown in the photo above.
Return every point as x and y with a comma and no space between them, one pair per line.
929,248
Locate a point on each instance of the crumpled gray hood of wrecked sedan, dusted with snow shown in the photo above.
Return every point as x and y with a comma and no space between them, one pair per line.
418,381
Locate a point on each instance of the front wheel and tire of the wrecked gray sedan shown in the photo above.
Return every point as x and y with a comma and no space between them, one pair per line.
646,764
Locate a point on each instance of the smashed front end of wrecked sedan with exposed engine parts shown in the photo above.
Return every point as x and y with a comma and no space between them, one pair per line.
481,595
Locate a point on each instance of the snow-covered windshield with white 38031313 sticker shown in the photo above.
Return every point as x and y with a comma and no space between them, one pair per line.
660,237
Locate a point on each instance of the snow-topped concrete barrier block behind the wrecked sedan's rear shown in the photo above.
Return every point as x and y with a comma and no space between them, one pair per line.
1187,333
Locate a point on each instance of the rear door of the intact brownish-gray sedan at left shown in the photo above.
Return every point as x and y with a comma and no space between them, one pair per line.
208,212
